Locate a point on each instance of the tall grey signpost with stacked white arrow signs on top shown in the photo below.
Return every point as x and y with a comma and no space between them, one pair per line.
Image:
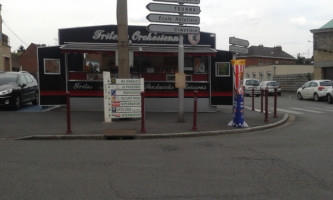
180,29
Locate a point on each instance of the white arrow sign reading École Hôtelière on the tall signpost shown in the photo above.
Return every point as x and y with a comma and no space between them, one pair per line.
173,19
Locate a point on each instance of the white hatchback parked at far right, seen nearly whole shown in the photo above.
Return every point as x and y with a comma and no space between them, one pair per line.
315,89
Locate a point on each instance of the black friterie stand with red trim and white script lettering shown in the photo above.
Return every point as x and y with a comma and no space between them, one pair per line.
77,64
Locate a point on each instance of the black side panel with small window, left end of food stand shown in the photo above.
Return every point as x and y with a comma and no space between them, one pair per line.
52,76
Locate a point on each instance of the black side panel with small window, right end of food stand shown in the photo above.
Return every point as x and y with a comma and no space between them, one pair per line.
221,79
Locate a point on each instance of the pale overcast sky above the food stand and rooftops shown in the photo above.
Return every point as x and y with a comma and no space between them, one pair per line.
268,22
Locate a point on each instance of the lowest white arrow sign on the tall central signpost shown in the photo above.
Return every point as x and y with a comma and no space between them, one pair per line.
159,28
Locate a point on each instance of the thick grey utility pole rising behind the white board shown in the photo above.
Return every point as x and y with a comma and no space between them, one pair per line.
122,26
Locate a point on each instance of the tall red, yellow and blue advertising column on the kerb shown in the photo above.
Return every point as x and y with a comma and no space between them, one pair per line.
238,107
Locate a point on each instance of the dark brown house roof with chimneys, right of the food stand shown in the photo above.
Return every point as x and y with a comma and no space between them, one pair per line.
266,52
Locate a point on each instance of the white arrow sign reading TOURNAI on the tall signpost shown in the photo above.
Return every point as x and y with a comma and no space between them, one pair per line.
173,8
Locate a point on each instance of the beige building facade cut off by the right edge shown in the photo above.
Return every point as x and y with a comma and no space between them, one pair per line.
323,51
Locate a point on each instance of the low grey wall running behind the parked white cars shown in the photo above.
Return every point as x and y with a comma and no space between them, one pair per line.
291,82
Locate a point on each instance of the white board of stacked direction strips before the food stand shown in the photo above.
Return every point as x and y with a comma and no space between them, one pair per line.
122,98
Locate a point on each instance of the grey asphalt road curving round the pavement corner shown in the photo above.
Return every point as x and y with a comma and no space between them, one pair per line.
289,162
